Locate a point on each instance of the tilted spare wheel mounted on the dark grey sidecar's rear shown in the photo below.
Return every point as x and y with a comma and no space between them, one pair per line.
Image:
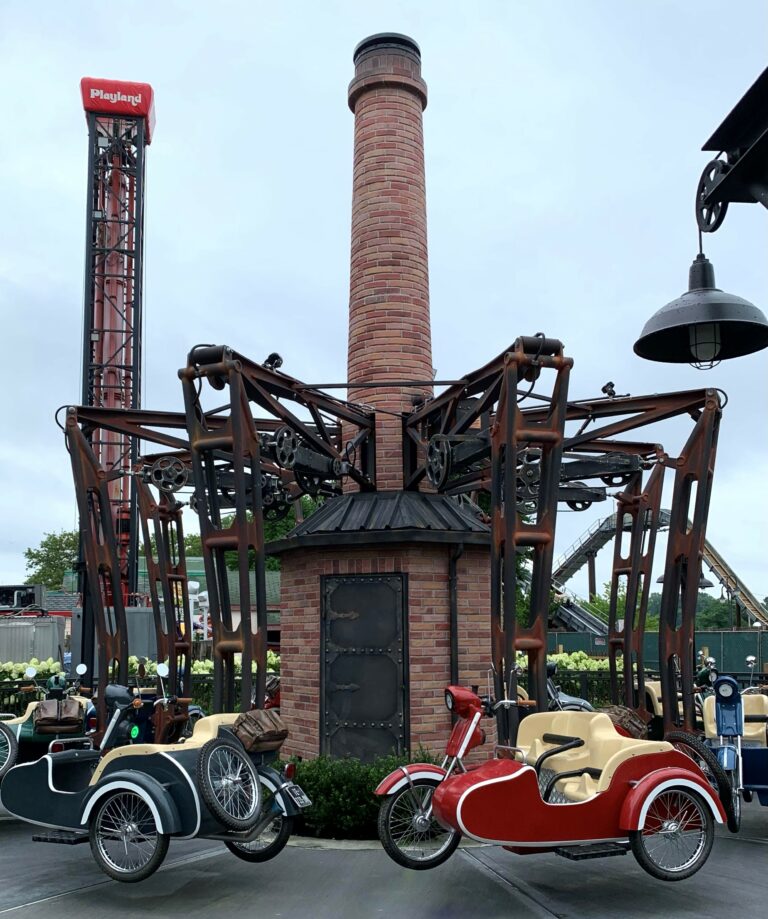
229,784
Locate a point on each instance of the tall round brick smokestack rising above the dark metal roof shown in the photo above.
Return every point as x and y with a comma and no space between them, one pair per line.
389,329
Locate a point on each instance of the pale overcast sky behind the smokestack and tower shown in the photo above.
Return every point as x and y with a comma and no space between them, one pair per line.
562,155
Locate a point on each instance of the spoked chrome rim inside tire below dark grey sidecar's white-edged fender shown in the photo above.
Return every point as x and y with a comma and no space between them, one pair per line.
126,833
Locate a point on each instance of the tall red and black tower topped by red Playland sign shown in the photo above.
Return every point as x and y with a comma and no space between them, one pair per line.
120,118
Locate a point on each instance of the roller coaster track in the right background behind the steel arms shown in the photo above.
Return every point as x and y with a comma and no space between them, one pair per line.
602,531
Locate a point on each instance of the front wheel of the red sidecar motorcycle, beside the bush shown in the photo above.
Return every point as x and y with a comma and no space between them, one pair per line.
406,843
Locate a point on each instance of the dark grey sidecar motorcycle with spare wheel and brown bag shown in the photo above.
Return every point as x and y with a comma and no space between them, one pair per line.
131,796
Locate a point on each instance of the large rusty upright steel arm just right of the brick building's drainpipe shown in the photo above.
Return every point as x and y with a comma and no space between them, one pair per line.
511,432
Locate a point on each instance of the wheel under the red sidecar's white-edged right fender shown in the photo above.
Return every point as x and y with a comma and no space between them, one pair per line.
677,837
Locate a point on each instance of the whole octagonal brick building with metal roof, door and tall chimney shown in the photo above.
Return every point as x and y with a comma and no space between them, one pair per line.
385,594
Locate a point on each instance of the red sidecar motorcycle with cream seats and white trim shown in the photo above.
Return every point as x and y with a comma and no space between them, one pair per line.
572,786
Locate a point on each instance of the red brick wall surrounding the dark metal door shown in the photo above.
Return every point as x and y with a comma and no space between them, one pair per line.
428,633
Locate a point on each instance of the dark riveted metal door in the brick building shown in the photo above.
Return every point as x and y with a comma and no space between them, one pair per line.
363,676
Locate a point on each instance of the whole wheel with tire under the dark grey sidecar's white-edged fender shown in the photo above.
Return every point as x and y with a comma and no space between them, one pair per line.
123,820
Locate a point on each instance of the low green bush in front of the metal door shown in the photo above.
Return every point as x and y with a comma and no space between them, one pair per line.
344,805
